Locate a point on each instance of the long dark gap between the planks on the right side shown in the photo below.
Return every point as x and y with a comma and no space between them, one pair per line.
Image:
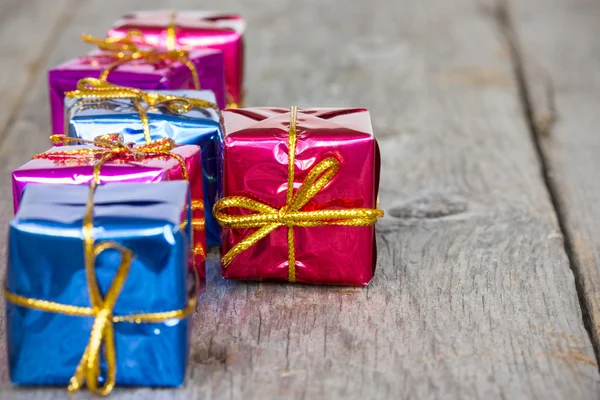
537,129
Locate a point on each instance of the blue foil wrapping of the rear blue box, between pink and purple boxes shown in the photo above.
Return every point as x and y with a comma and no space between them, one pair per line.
202,127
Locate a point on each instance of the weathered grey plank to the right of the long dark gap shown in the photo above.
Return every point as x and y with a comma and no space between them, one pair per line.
558,46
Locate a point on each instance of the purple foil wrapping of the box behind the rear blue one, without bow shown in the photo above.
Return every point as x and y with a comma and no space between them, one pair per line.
139,74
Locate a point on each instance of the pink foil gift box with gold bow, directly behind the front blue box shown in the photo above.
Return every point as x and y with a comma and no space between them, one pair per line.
75,165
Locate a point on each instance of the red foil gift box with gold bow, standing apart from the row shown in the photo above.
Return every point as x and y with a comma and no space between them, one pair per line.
299,195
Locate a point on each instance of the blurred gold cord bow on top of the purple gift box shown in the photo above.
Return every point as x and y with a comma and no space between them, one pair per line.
125,50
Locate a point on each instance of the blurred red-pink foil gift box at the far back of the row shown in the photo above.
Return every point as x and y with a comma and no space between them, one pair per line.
193,30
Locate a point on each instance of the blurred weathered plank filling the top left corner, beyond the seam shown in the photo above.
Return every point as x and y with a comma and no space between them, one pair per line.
27,28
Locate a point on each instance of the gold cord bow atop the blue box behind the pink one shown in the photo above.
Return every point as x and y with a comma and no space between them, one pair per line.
93,90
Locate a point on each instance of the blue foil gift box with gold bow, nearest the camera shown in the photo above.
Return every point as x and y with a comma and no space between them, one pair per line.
61,294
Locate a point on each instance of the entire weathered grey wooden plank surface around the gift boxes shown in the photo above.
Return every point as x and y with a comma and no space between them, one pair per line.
487,113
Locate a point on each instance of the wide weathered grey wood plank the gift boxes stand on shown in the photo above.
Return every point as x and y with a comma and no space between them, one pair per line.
473,297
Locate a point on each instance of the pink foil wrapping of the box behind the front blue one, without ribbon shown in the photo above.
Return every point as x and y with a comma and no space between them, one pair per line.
79,170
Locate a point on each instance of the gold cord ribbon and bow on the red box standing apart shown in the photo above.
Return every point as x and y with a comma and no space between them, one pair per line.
268,218
